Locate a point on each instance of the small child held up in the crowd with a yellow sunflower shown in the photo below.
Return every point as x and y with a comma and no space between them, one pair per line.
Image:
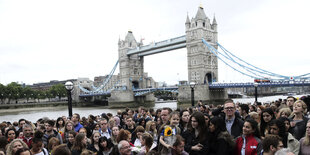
168,135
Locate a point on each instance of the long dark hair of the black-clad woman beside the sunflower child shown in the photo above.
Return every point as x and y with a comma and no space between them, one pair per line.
202,128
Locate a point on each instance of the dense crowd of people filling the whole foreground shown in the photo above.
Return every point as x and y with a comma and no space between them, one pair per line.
280,127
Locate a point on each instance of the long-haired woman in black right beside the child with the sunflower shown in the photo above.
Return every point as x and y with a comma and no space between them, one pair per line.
195,136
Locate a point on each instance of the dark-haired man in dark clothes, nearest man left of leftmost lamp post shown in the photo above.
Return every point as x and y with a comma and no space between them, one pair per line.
50,132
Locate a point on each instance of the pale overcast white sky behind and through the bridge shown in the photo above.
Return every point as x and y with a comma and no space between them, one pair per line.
44,40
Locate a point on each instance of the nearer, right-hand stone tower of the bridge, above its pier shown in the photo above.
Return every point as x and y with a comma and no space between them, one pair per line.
202,64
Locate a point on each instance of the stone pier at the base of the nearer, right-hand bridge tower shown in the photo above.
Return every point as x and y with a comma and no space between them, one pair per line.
202,92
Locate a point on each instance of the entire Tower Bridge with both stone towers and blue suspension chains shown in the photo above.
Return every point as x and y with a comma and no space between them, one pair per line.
201,42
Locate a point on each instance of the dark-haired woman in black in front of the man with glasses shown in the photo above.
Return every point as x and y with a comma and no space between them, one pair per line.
219,140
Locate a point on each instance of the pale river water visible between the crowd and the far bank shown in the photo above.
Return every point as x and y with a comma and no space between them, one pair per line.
34,114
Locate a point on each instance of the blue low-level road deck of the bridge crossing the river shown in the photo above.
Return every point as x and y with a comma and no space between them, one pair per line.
141,92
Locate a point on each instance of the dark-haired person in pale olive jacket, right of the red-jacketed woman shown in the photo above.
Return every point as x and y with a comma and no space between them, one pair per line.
277,127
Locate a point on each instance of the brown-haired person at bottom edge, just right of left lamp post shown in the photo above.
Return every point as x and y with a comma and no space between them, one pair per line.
79,144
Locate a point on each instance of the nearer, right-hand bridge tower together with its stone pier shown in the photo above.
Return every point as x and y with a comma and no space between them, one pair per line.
202,64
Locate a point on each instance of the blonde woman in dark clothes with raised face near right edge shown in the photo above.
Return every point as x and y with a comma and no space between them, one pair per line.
299,121
